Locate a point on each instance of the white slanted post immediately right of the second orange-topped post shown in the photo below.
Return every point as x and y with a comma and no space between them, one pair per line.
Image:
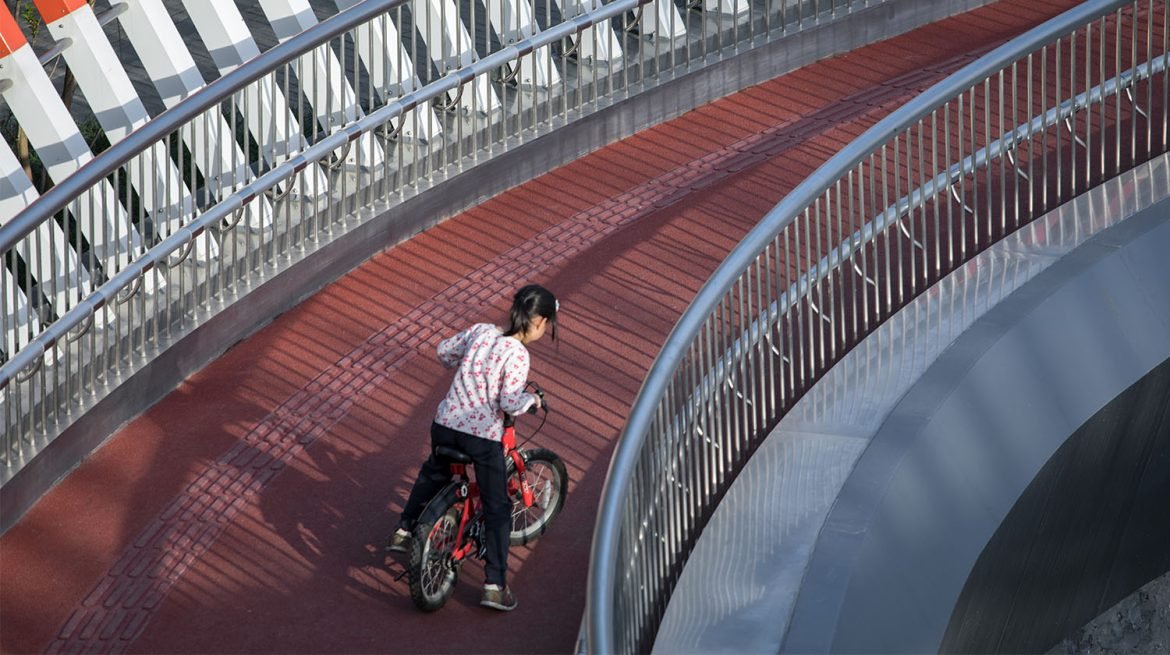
211,141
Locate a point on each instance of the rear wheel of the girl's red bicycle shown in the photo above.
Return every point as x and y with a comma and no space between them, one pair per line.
433,573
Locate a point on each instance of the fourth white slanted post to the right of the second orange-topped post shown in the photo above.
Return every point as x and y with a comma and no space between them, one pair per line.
393,71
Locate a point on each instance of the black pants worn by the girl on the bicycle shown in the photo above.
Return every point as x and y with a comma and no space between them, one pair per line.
492,478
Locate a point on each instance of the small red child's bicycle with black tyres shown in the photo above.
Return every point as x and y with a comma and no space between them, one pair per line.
451,528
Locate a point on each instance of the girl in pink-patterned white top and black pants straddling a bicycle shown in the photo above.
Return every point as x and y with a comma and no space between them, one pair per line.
493,370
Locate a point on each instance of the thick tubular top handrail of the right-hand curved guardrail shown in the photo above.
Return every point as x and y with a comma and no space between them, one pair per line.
600,629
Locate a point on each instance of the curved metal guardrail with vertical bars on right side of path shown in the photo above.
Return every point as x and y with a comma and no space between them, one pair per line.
920,194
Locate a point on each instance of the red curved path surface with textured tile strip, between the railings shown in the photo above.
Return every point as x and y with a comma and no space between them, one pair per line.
246,513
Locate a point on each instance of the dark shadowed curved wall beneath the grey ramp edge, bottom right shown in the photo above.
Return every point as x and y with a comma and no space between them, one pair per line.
1091,529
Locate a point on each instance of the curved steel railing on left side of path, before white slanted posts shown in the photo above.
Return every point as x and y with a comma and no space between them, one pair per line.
150,274
